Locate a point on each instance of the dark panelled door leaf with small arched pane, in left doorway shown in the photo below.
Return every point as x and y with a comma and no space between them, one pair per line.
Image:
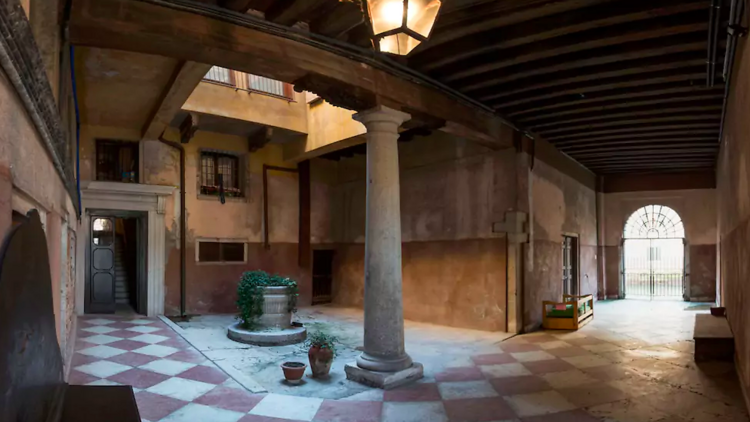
102,271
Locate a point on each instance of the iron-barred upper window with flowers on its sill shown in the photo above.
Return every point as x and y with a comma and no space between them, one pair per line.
220,172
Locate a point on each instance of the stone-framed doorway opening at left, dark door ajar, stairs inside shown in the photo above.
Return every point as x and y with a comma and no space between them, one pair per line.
116,280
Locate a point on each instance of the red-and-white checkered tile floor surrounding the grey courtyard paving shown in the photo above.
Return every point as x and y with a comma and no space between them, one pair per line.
632,364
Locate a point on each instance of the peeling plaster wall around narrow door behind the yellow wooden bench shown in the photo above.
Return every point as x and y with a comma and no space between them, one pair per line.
561,205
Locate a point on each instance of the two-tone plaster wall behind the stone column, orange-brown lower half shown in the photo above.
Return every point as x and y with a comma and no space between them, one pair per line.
454,269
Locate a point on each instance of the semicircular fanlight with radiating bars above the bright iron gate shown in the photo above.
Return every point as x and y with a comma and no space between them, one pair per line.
654,222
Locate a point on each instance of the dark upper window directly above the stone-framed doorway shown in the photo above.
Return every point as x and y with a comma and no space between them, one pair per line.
117,161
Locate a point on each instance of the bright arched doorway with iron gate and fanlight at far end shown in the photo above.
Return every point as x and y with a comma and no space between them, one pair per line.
654,254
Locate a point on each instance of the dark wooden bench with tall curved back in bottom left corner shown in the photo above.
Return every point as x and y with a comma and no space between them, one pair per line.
32,386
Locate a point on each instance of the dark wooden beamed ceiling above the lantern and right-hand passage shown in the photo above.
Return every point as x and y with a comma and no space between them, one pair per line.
619,85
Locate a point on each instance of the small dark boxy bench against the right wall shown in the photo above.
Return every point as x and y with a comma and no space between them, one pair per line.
713,338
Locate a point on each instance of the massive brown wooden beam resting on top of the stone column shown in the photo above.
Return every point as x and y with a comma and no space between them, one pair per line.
240,42
